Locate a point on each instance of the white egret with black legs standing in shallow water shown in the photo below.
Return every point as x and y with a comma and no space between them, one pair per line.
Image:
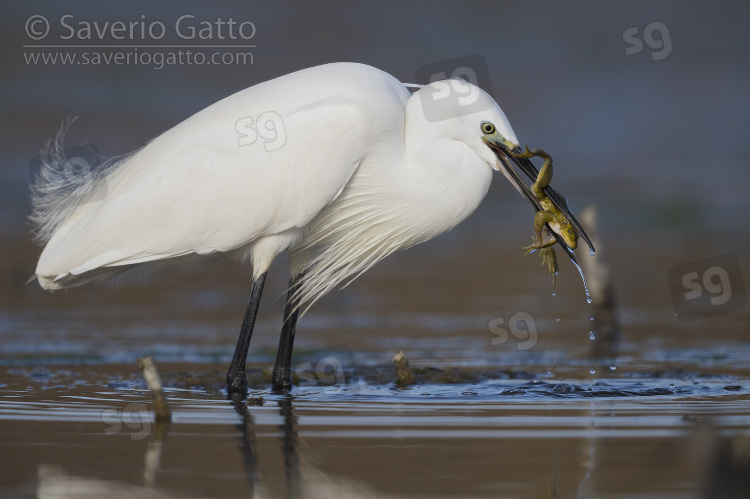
337,164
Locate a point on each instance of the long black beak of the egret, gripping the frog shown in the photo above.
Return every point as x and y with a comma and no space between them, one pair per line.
528,168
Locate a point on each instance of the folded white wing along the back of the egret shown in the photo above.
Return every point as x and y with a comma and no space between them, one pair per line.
257,163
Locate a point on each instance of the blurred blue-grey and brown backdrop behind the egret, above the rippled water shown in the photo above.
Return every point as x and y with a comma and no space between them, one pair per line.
644,107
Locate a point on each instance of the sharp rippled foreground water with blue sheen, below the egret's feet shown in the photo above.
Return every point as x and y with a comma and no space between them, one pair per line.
364,440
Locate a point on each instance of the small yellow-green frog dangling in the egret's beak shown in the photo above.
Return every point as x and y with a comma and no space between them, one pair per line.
549,215
